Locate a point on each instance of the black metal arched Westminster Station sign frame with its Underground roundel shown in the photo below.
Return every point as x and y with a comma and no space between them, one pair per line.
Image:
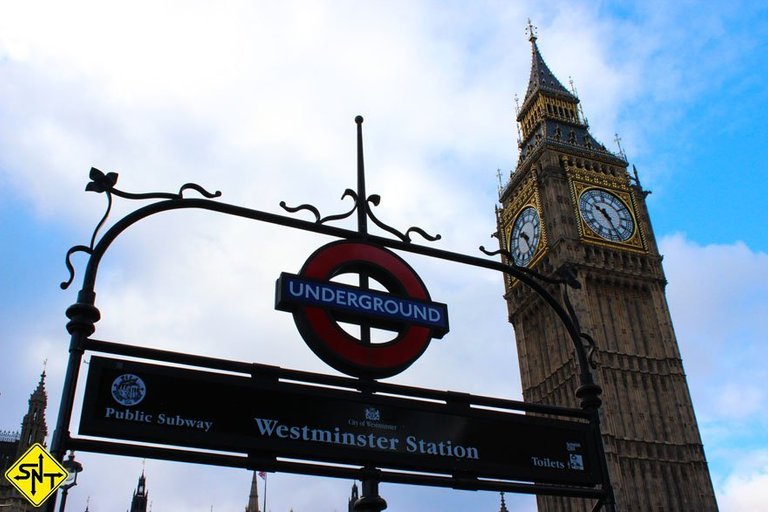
348,427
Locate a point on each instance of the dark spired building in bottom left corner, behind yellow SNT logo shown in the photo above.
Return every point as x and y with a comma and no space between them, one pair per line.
13,444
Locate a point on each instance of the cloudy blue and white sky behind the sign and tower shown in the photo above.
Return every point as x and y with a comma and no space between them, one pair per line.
258,101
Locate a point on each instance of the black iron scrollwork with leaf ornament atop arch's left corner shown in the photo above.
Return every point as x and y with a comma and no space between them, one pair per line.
105,183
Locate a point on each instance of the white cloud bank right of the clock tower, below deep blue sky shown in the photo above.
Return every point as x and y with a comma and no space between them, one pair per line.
718,300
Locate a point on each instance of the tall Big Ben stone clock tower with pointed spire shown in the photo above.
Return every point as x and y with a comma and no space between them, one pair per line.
572,203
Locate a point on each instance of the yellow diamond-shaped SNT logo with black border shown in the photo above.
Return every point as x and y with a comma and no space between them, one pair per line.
36,474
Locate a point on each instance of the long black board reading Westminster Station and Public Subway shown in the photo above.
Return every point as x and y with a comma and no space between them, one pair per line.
264,416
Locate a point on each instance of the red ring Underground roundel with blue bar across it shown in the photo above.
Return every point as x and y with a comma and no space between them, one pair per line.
320,304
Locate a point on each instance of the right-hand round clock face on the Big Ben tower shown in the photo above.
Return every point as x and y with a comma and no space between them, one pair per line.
606,215
